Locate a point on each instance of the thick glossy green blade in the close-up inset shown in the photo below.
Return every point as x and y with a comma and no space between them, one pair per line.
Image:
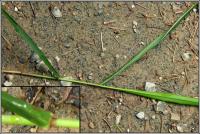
36,115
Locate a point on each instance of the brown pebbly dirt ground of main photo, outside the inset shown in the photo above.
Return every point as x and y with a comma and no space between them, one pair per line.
76,39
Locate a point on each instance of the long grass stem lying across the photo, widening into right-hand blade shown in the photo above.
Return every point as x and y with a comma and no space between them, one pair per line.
167,97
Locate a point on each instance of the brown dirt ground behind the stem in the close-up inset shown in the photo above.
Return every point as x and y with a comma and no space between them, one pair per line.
61,101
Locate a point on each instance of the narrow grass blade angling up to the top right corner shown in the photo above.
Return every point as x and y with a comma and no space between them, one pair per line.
153,44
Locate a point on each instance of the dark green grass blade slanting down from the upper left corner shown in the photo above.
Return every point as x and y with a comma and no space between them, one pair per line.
30,42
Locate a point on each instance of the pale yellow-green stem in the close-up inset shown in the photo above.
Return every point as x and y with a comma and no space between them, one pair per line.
18,120
